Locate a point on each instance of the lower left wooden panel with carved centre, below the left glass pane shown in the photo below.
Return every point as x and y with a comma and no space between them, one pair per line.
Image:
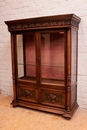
28,94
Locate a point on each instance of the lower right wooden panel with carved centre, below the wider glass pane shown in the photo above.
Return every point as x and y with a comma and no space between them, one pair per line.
53,98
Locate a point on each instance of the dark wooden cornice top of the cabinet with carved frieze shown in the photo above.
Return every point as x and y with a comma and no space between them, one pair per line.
56,21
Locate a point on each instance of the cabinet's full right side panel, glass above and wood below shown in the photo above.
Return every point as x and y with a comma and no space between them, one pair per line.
74,67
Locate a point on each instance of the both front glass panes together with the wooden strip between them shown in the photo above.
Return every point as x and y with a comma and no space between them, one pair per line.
50,45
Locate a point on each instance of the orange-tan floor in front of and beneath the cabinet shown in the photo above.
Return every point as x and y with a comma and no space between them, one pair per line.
20,118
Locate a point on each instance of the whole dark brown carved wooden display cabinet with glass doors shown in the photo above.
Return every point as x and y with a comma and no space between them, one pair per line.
44,63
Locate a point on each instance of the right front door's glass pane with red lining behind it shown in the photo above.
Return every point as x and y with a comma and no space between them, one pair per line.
52,57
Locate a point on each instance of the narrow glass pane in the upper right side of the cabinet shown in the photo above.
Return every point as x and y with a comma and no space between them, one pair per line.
73,61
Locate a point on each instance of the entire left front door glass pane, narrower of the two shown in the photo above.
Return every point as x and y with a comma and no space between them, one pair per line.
26,57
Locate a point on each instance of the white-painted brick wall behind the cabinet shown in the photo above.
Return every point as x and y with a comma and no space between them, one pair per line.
20,9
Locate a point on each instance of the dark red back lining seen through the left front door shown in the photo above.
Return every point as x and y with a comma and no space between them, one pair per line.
30,69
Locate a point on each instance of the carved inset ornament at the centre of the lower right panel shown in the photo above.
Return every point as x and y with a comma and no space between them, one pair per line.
53,98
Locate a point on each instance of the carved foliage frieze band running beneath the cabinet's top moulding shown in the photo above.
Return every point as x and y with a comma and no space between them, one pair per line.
42,24
